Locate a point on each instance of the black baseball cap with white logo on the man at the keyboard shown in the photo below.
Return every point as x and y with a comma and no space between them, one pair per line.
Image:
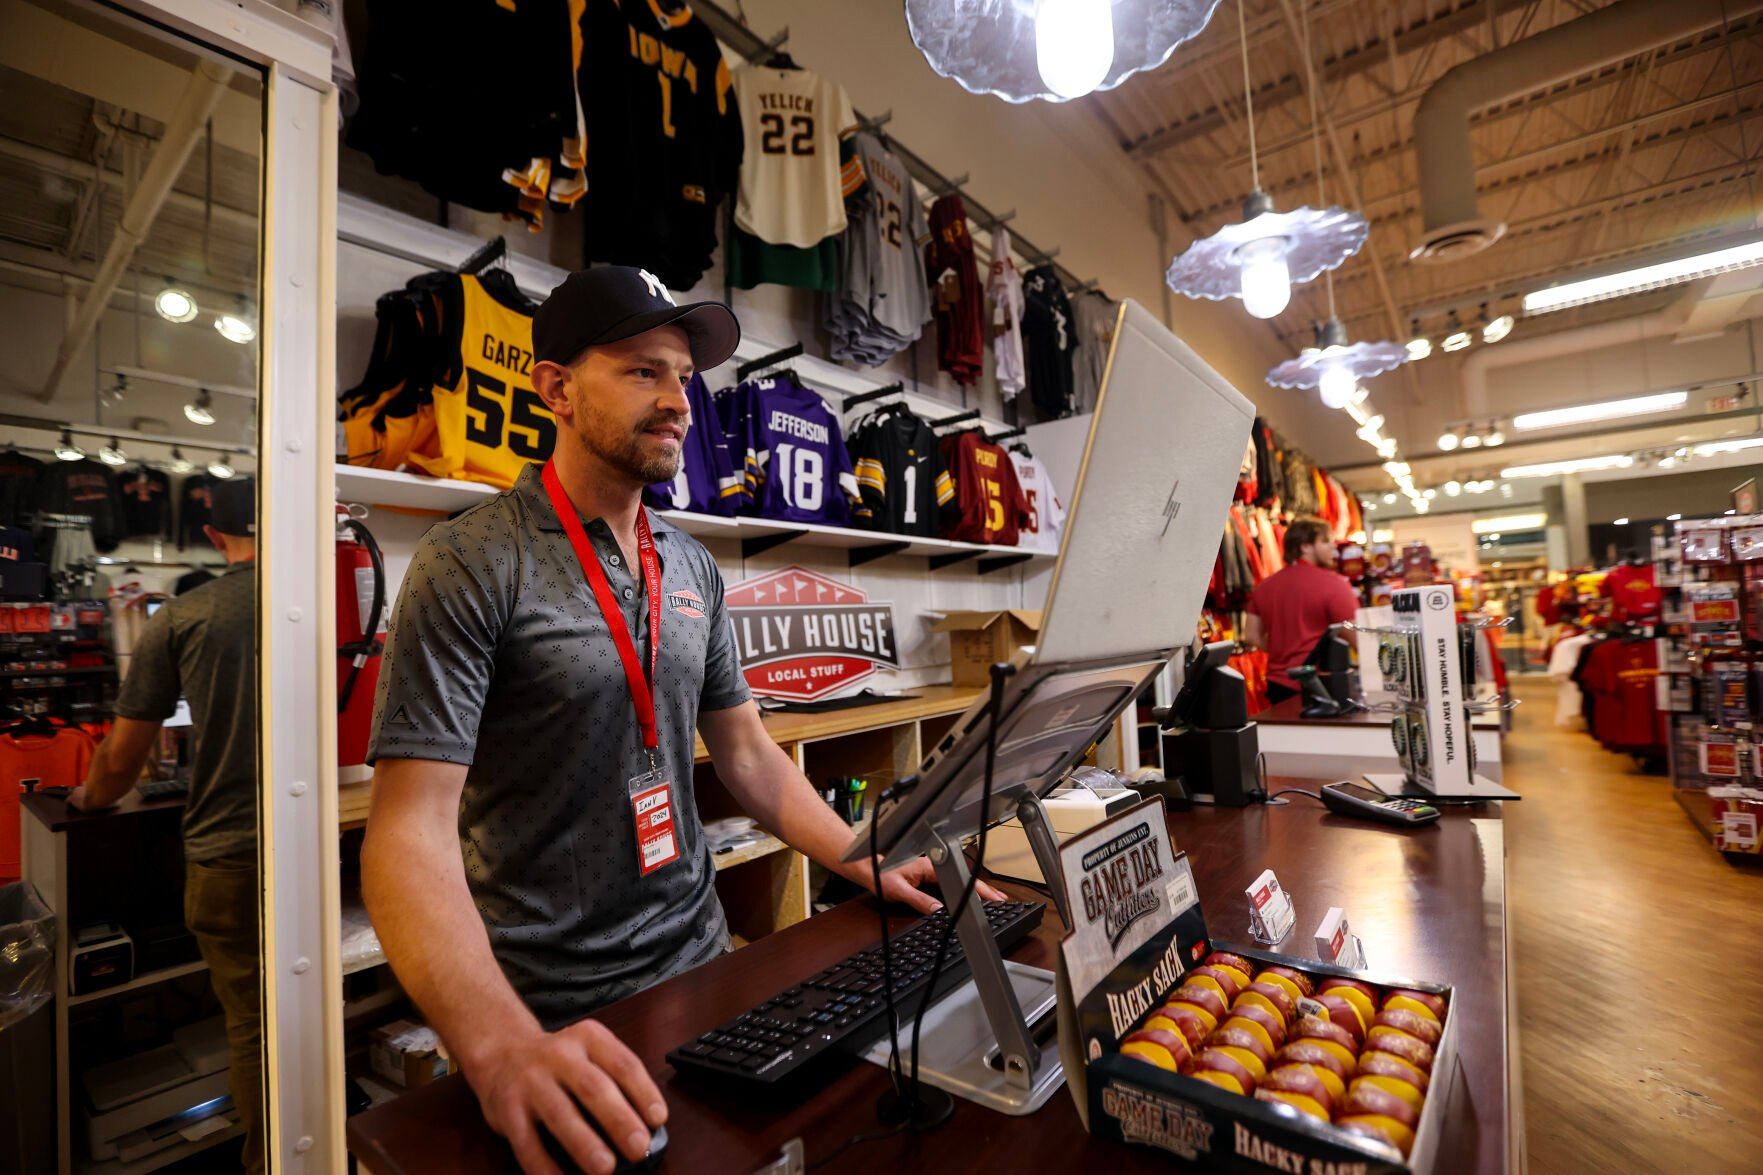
613,303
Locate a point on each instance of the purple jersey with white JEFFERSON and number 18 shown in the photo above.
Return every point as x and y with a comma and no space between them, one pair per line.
796,465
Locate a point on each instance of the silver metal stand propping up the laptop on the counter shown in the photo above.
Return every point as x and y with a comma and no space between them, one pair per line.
978,1042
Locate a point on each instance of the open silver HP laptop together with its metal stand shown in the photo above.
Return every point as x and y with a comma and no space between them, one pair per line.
1138,550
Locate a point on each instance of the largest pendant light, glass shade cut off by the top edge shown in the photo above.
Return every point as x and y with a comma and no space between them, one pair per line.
1053,50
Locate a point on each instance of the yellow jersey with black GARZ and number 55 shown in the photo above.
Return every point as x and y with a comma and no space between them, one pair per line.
489,423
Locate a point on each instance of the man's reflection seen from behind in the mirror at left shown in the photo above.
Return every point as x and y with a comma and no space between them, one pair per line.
204,648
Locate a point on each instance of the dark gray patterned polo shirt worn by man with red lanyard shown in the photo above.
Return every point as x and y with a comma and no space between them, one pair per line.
500,659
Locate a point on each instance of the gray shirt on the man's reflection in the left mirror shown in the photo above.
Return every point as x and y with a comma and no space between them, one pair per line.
204,647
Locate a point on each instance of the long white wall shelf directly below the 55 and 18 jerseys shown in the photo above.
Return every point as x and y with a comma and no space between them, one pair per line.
383,488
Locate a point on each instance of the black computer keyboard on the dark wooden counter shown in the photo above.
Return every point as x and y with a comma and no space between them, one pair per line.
844,1010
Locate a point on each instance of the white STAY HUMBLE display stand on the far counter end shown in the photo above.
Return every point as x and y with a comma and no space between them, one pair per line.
1422,662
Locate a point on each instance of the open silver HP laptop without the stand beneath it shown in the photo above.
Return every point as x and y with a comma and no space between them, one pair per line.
1154,486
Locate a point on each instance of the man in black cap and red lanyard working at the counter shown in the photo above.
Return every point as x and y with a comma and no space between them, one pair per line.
533,848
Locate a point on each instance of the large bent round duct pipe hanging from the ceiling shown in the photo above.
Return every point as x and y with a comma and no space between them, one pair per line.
1452,225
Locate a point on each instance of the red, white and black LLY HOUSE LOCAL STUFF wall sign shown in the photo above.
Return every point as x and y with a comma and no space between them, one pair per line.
805,638
